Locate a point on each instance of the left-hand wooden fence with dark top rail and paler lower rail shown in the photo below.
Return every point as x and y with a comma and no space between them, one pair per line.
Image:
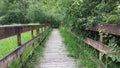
7,60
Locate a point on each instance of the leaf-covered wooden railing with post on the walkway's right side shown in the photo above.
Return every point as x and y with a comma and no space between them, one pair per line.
113,29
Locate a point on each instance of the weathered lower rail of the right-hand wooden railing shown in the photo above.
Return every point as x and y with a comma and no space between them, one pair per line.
100,47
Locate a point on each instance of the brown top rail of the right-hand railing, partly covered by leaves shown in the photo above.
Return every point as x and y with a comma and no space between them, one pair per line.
107,28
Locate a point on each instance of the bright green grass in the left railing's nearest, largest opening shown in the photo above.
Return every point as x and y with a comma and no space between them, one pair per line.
7,45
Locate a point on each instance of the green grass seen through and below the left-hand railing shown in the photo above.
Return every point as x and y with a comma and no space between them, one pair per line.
9,44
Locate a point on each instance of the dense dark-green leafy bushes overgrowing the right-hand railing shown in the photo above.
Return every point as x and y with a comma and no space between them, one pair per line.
79,14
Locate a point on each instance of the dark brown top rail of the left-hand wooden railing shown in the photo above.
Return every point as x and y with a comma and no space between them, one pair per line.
7,31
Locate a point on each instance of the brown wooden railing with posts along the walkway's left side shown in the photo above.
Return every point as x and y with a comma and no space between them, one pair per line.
8,31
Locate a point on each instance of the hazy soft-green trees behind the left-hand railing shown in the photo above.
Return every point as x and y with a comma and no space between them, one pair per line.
25,11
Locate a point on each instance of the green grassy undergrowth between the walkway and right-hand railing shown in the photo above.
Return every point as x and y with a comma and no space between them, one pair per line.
85,55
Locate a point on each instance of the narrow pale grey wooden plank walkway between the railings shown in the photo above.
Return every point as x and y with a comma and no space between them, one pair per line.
55,54
